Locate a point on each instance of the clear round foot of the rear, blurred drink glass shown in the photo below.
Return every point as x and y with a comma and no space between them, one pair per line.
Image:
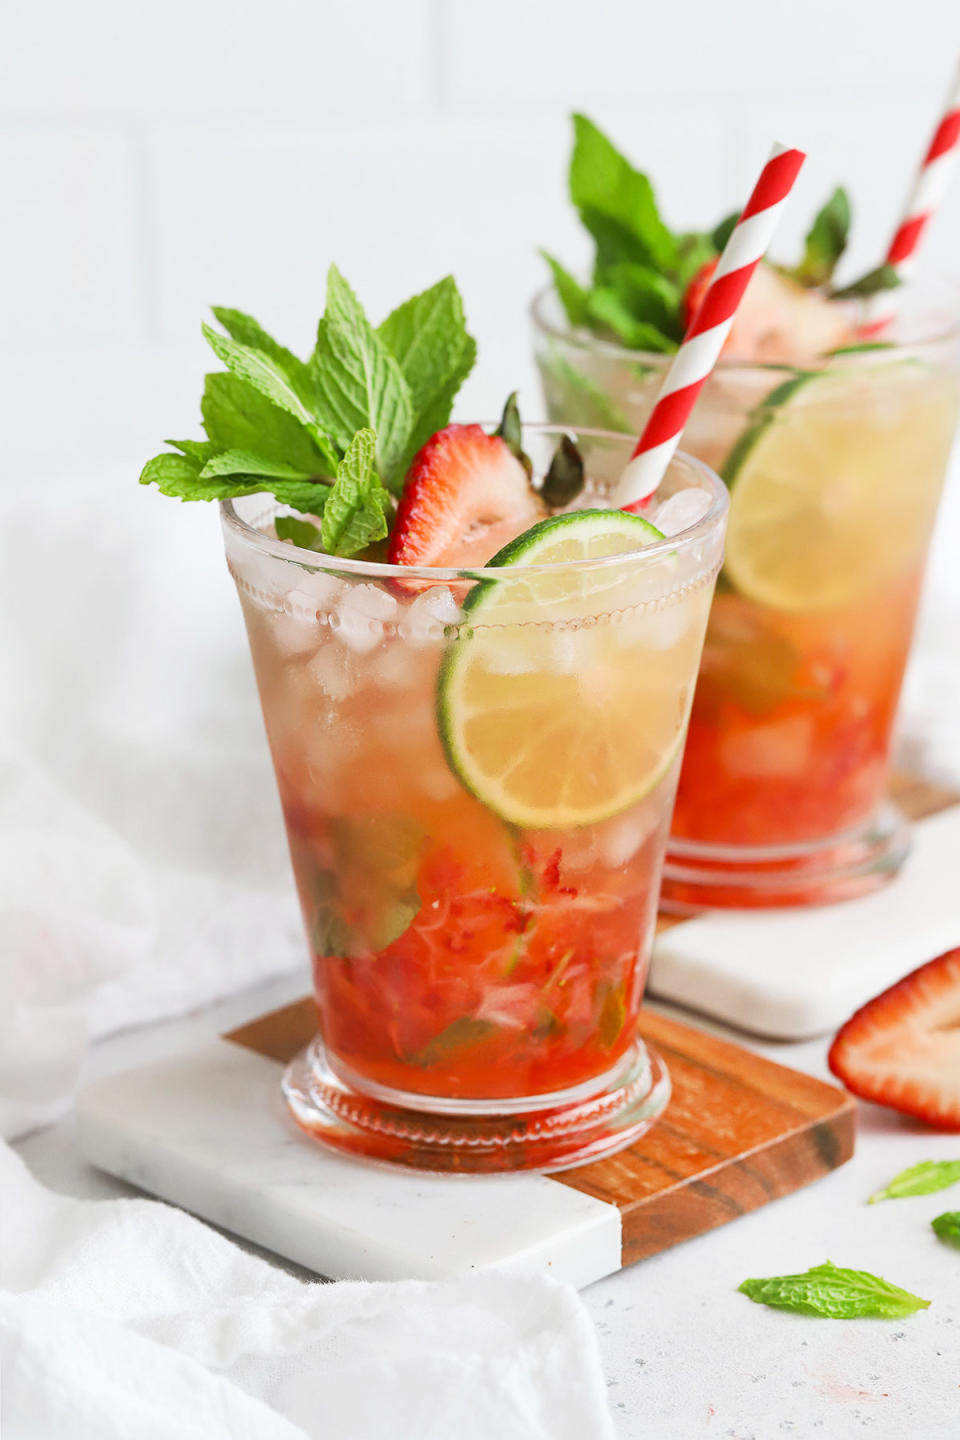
735,878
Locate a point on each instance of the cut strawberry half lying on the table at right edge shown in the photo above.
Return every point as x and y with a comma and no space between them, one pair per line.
903,1049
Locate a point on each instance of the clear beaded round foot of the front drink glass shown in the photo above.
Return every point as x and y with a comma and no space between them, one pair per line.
546,1133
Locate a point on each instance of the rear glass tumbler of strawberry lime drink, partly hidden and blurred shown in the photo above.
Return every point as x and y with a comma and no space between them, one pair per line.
836,474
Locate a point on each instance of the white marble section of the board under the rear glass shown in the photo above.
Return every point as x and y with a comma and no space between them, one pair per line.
794,974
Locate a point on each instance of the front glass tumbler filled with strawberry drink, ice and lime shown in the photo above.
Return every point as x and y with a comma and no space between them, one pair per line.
479,978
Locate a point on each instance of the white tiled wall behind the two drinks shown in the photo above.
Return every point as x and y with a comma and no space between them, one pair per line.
158,158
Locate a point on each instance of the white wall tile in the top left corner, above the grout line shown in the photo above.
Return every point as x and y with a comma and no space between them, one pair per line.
214,58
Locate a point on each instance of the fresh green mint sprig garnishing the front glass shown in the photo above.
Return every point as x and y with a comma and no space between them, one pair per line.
332,436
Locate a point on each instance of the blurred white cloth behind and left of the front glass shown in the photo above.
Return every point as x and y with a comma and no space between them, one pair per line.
143,866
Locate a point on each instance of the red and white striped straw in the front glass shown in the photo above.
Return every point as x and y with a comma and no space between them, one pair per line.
709,329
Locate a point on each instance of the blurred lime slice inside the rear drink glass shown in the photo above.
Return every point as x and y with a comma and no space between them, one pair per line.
836,486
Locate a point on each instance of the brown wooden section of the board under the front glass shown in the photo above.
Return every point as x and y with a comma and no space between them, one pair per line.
739,1133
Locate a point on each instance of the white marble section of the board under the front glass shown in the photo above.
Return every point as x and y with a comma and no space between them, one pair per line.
209,1131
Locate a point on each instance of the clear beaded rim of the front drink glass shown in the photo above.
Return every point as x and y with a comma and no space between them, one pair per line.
381,571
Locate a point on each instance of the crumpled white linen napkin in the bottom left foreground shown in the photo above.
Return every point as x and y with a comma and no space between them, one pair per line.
129,1318
